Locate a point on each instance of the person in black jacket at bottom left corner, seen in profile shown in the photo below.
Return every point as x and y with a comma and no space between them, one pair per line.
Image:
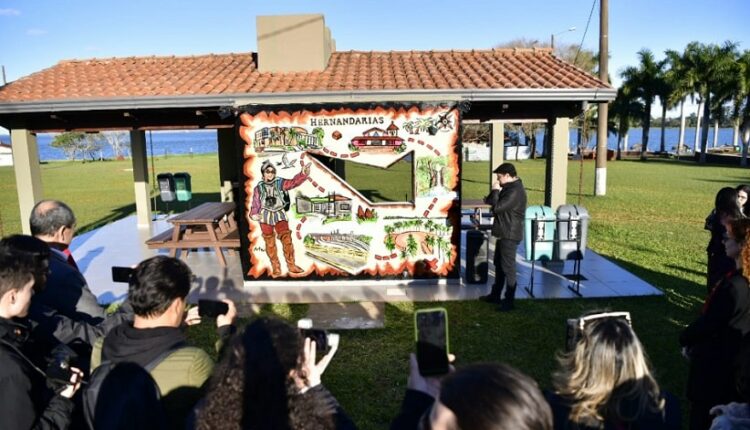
27,403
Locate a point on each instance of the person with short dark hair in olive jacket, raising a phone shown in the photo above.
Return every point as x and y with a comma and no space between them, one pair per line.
158,292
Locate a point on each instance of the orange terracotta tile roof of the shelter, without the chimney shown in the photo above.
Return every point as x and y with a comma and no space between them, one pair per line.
346,71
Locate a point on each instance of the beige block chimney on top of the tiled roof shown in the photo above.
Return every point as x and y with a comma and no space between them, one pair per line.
293,43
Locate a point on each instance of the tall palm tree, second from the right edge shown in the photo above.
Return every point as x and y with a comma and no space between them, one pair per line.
710,65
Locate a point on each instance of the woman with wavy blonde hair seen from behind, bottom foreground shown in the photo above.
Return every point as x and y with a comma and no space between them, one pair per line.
605,382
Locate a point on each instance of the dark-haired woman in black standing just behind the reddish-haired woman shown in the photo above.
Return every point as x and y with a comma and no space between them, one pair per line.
726,210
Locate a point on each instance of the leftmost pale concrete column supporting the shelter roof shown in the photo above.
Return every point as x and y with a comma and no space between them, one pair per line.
28,173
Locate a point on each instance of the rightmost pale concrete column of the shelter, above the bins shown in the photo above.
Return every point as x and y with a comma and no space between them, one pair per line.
556,178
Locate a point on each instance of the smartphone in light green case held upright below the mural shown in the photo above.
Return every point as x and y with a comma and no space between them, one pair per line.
431,335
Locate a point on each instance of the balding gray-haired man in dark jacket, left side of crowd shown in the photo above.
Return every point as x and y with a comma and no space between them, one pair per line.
66,291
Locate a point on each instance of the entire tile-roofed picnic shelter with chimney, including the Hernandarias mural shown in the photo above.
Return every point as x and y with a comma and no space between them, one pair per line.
308,111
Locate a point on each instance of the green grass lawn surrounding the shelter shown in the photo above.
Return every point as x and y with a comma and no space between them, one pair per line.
650,222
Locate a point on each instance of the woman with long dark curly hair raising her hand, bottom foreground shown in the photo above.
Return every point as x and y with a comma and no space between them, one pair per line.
268,378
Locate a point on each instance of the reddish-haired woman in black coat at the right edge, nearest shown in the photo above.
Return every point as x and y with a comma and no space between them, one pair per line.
713,341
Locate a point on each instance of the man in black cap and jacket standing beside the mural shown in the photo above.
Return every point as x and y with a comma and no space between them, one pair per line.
508,201
